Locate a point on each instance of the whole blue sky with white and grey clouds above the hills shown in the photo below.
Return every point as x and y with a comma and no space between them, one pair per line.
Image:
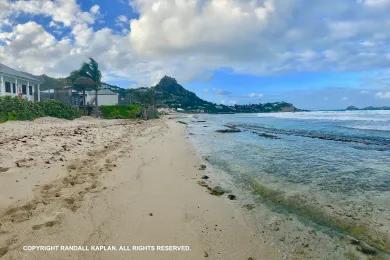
315,54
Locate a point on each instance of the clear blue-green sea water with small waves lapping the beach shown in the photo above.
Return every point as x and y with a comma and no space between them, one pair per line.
334,163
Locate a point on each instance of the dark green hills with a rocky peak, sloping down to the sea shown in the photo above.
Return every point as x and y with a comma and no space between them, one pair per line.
170,94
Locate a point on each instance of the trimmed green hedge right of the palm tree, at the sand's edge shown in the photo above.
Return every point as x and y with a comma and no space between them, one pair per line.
121,111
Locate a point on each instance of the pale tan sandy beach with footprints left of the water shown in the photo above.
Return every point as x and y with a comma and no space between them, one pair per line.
93,182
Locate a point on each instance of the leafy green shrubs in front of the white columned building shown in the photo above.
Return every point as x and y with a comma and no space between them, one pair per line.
14,108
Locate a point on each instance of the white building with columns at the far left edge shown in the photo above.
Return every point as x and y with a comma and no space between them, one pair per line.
18,83
